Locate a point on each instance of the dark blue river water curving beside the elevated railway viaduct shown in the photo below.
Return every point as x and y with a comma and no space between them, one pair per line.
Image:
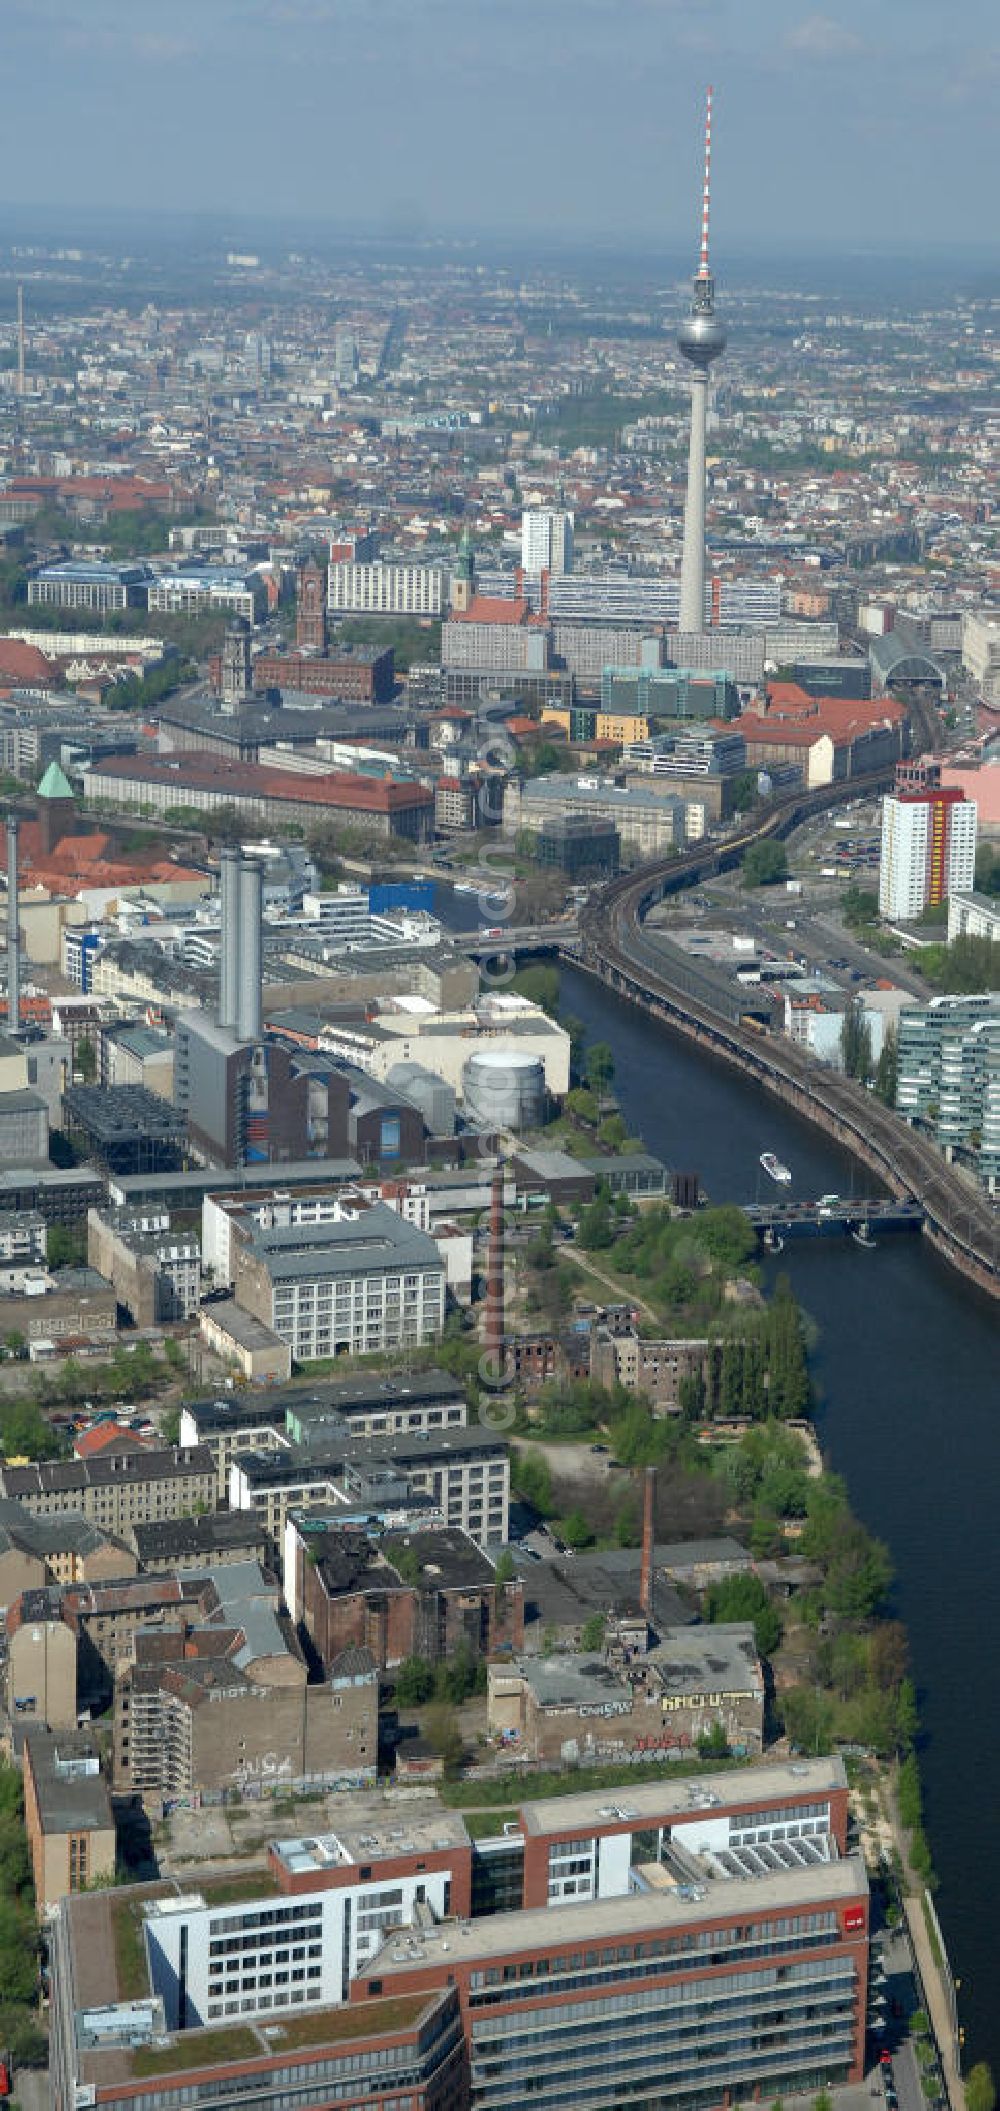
908,1386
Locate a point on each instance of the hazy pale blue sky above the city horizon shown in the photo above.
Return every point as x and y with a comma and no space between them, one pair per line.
847,123
